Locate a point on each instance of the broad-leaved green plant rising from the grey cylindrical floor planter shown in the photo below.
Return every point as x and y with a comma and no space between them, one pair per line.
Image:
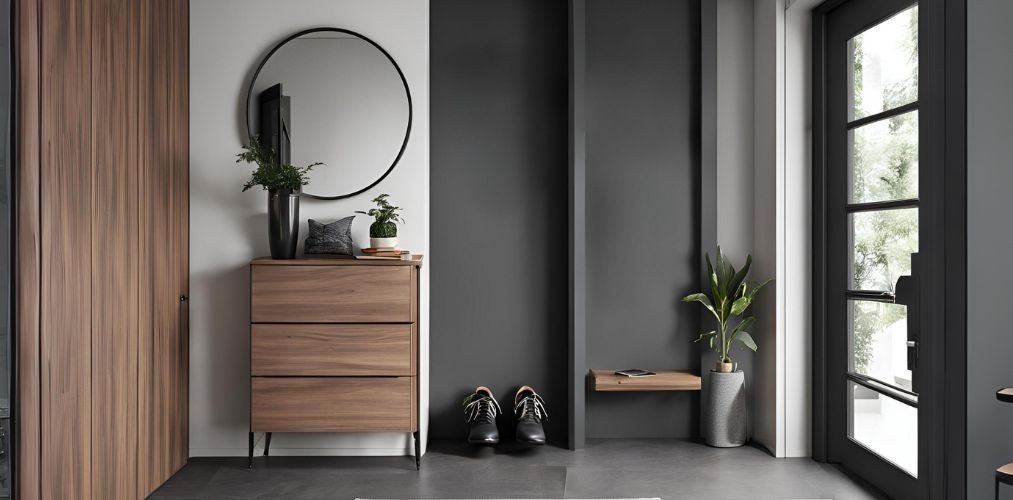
731,296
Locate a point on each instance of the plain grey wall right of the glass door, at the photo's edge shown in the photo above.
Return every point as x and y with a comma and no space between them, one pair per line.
990,242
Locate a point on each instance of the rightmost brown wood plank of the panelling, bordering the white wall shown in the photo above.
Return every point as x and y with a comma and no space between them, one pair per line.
164,416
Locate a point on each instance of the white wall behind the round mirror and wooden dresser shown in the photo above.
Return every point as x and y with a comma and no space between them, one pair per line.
228,228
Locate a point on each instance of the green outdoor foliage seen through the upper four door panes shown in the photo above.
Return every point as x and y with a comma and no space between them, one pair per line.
885,163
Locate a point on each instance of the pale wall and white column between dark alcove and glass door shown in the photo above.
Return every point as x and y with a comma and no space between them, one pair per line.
763,206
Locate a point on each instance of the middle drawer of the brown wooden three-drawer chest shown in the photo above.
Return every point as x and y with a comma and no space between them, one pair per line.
335,351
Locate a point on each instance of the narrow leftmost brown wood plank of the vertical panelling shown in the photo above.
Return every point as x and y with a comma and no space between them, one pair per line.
28,251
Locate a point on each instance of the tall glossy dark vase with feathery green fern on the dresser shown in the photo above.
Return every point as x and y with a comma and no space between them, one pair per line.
284,184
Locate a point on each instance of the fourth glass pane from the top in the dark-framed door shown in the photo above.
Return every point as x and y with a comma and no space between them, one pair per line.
879,342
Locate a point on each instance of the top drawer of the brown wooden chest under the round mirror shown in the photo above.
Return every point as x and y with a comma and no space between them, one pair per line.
330,294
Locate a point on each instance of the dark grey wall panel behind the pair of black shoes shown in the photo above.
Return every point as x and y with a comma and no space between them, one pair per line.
499,208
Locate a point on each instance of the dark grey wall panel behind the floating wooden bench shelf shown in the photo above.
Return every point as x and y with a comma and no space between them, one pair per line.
644,185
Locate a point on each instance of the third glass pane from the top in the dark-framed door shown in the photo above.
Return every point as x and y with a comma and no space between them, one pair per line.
882,244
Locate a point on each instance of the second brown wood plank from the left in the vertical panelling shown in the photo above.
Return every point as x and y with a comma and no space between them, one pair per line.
66,249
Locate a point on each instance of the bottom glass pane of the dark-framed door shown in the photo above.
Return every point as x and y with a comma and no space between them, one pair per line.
886,427
